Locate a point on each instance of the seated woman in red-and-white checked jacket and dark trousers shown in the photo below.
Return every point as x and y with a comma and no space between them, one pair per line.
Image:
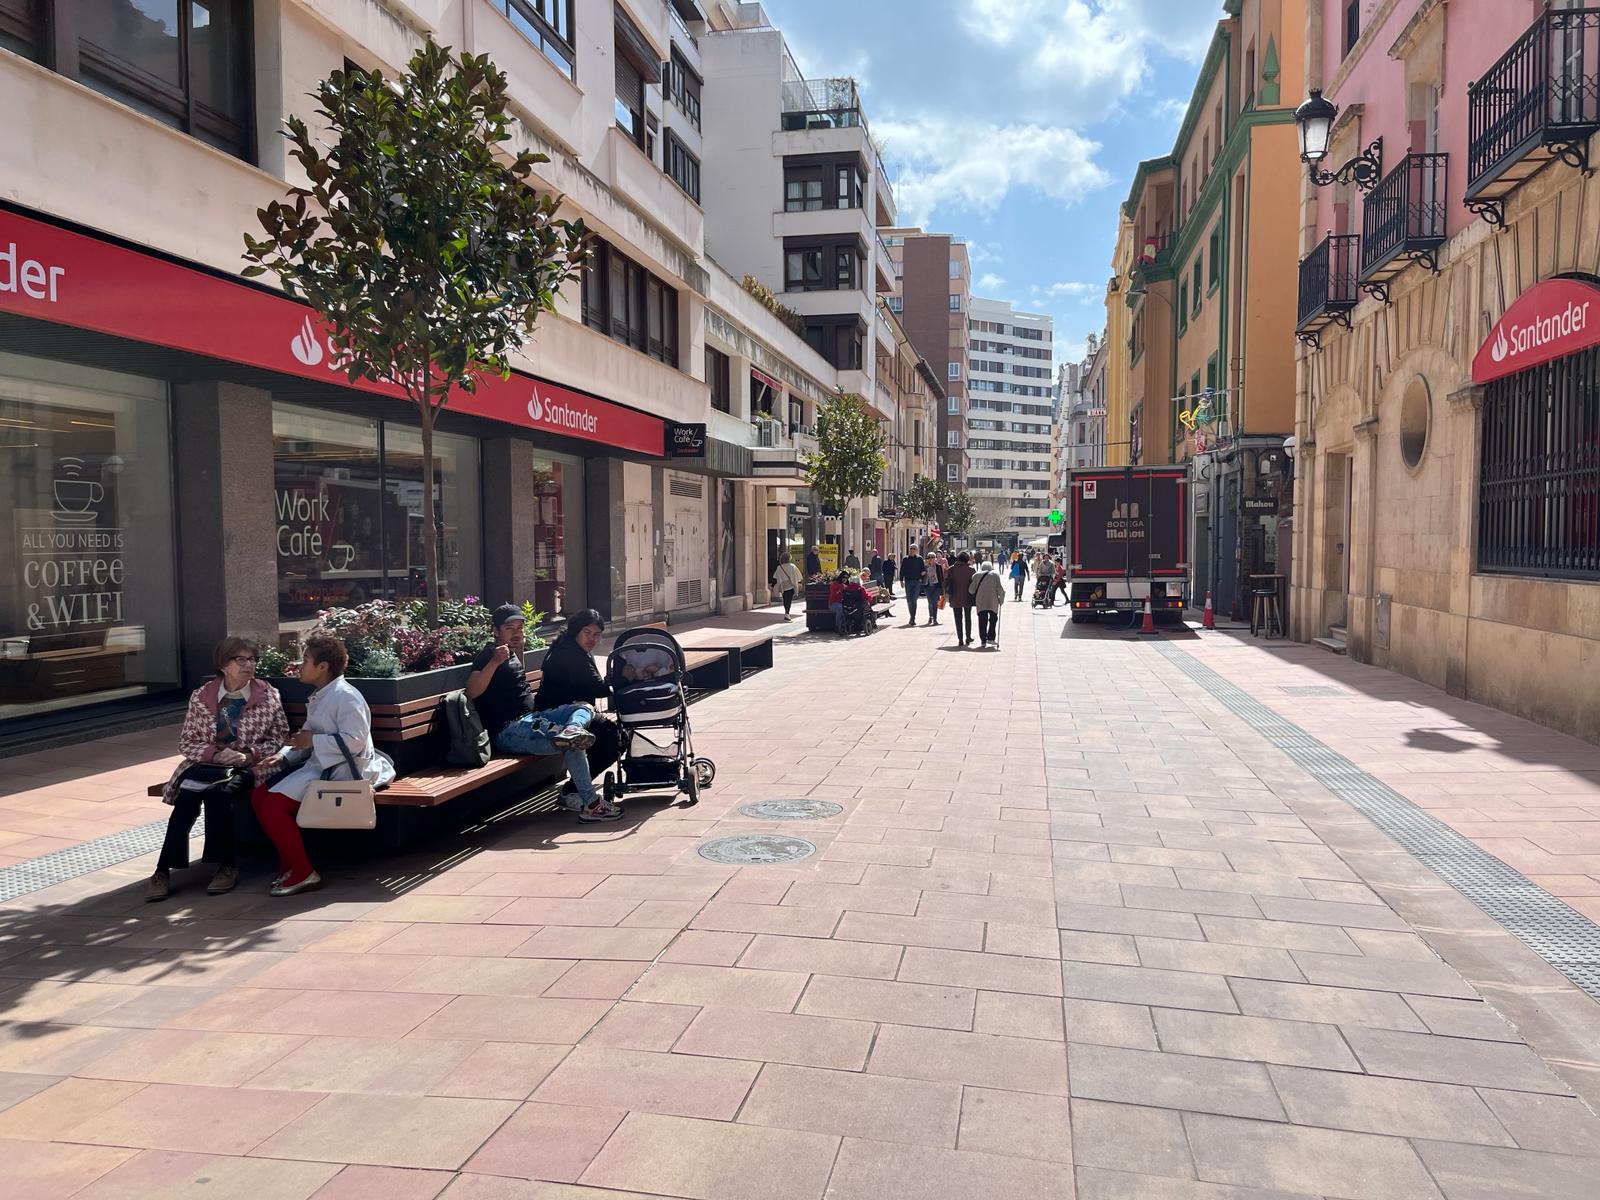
234,726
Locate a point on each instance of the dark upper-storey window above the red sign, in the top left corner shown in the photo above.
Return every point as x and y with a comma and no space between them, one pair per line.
186,63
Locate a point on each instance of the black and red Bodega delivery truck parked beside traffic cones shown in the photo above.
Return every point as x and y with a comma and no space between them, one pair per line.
1127,542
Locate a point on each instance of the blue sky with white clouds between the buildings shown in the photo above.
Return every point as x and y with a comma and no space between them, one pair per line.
1026,137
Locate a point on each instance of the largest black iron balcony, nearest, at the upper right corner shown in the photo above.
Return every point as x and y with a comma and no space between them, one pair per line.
1537,106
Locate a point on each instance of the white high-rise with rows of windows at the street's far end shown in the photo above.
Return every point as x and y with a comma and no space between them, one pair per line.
1009,422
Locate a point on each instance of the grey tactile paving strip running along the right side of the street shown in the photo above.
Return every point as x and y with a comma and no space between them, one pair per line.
1554,930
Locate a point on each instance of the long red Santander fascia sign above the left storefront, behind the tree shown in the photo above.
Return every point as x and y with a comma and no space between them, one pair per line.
60,276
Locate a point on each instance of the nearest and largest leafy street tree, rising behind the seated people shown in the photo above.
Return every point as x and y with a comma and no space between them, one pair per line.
418,238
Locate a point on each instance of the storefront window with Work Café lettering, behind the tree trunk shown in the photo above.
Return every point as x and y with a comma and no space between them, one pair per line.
350,508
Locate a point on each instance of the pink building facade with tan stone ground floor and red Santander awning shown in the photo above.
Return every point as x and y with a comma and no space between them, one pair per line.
1447,516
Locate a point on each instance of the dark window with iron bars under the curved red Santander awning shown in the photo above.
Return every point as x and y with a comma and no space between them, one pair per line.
1540,482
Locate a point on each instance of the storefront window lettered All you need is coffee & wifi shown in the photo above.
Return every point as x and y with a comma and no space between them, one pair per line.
87,583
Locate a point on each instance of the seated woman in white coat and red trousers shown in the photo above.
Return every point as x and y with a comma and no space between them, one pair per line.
335,708
